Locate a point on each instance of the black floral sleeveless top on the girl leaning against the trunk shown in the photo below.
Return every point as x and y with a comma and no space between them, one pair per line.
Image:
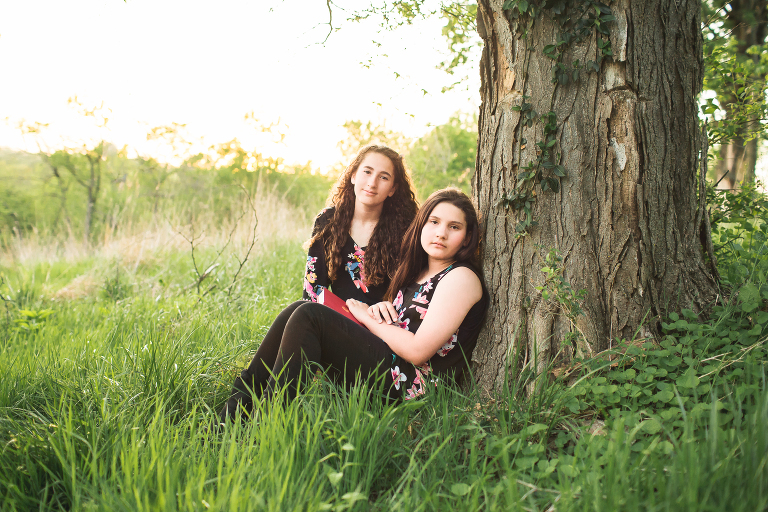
411,304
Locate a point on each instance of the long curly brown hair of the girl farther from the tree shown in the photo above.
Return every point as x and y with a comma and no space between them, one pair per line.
397,213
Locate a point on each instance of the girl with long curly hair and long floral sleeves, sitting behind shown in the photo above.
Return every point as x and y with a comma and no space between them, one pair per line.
354,244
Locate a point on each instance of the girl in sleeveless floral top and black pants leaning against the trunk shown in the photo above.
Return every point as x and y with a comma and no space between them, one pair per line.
423,335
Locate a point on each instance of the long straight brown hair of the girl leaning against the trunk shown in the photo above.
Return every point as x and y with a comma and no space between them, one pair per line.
413,258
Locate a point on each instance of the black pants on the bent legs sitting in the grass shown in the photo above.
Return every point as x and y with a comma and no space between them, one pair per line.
311,334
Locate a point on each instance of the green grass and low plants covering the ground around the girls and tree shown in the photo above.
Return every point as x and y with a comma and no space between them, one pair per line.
112,364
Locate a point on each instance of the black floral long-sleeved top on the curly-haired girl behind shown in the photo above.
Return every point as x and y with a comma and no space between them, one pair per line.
350,280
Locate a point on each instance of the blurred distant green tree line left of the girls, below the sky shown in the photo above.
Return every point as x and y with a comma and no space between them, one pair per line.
143,191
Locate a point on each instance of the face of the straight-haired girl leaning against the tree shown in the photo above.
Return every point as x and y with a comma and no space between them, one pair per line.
445,232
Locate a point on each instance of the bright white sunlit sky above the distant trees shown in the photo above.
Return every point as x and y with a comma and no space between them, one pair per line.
206,64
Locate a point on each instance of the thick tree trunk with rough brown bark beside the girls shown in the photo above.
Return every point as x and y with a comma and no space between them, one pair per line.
624,217
